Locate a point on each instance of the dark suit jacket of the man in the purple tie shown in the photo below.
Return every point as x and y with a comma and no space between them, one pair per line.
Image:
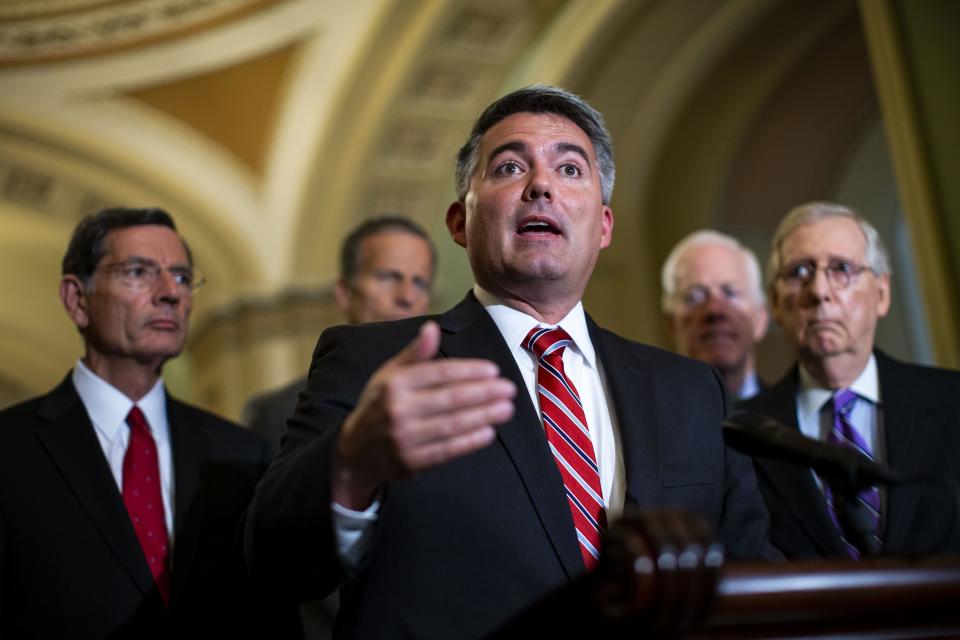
921,424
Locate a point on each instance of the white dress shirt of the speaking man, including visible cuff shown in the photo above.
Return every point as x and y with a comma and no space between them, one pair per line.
585,371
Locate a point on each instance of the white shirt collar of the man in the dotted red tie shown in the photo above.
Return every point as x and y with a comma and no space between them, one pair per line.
108,407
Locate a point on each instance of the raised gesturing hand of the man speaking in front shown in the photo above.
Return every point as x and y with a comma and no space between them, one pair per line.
417,412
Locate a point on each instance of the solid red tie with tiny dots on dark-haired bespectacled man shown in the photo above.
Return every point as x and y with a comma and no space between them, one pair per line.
141,495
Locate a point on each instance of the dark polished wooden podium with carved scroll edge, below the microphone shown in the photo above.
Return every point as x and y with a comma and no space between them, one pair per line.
662,576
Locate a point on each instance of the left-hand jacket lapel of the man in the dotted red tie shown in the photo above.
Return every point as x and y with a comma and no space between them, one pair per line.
68,437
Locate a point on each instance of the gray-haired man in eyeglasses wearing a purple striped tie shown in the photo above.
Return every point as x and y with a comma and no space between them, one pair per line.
829,284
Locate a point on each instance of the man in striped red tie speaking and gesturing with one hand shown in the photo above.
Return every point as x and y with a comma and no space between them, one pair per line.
448,472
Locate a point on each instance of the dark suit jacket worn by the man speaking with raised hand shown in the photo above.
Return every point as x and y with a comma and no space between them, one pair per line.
461,547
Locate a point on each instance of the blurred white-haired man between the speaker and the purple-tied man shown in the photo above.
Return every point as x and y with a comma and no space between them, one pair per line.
714,306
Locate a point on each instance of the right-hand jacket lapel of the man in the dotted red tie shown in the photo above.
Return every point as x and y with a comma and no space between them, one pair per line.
189,445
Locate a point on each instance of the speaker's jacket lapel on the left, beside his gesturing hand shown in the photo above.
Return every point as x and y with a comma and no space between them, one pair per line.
469,332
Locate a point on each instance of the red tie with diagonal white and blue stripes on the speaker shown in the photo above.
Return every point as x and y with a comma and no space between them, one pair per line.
569,438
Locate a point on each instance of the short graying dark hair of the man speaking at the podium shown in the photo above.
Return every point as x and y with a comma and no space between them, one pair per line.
540,99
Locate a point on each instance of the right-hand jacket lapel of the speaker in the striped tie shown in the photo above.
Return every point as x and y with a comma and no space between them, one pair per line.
636,415
